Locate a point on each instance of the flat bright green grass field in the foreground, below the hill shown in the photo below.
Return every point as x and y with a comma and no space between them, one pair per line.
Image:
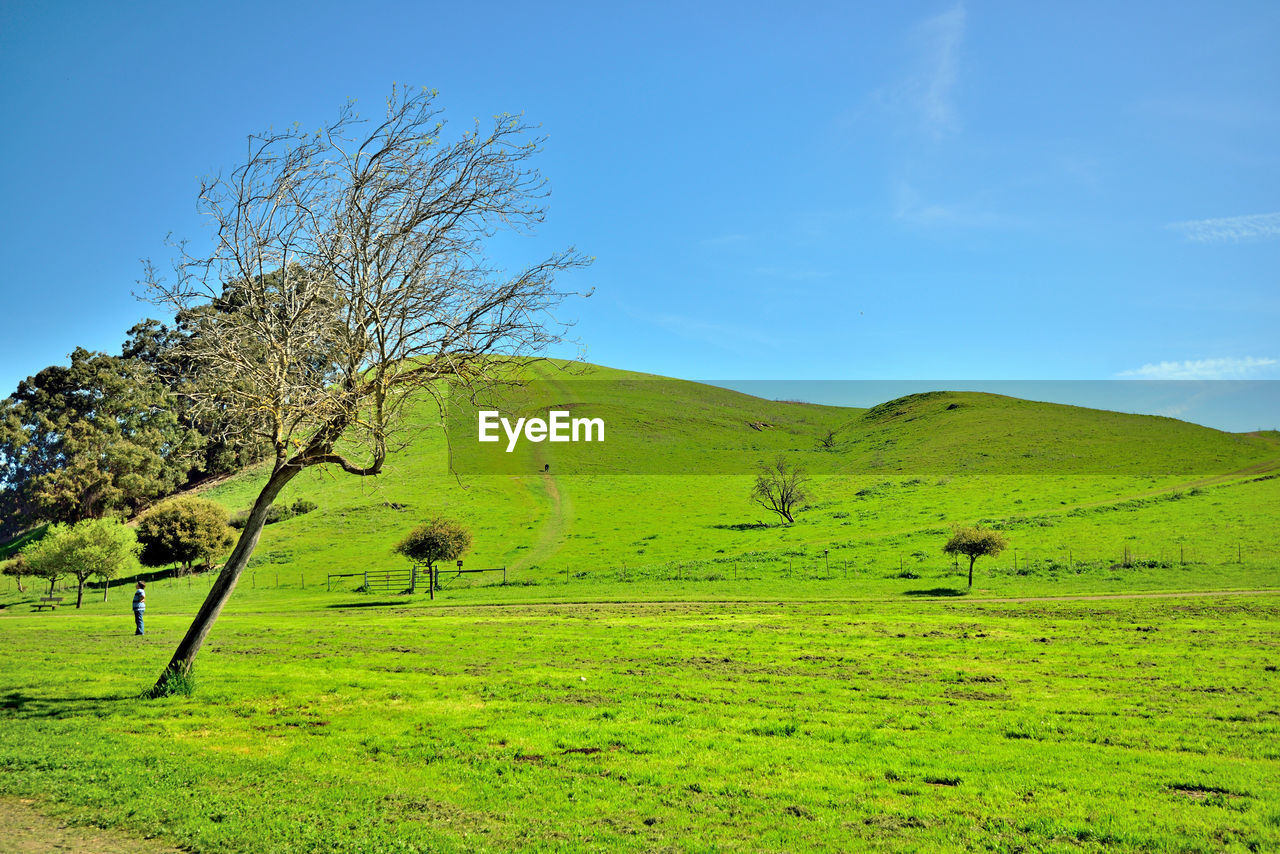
1136,725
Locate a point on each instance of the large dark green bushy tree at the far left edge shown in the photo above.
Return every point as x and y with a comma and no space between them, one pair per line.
97,437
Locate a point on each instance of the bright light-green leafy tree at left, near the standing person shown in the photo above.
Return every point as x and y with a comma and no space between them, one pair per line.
95,547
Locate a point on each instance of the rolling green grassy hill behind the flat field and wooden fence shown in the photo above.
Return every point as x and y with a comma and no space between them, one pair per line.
1203,496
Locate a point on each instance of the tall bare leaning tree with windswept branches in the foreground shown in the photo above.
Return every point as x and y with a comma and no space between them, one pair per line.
349,276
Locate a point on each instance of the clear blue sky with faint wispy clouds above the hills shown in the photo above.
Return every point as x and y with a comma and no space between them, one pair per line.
816,191
